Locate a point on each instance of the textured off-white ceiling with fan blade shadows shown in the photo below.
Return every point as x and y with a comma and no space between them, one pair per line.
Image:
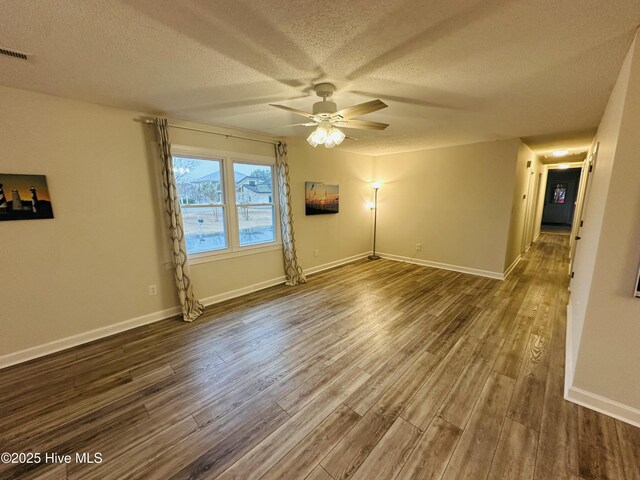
451,71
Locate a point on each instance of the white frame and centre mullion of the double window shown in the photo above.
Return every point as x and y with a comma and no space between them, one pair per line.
230,207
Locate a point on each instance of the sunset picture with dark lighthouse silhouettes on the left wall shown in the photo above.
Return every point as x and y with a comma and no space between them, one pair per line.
24,197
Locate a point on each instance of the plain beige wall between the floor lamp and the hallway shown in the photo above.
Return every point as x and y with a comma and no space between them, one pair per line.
455,201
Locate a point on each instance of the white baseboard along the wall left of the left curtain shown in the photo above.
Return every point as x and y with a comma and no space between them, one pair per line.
86,337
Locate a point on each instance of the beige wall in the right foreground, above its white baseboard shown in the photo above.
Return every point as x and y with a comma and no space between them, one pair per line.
604,309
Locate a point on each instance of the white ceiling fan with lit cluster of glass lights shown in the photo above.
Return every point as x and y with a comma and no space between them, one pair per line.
326,117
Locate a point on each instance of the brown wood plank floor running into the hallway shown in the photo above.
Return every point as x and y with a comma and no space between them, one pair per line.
372,370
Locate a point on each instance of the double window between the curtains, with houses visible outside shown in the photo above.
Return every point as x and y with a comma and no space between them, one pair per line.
227,204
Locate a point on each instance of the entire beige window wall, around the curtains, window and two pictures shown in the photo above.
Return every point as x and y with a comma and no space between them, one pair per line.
89,268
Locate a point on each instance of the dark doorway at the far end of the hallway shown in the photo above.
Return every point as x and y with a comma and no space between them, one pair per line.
560,199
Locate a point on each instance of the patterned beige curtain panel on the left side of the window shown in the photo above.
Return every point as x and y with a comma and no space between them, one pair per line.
191,308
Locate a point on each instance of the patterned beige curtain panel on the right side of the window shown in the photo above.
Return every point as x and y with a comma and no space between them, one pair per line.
293,272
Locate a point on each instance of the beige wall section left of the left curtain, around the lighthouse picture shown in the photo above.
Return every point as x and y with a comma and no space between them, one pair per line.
89,266
